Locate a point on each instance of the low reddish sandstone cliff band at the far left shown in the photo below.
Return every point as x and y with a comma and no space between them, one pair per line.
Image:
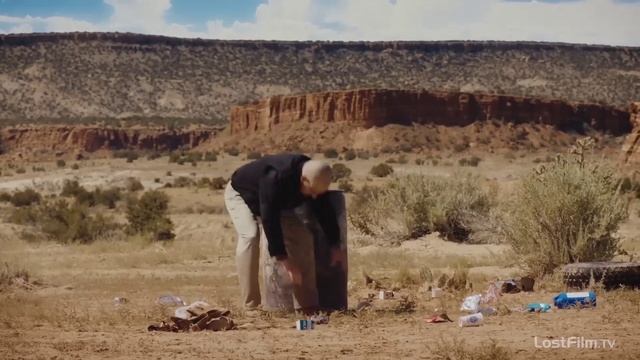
66,139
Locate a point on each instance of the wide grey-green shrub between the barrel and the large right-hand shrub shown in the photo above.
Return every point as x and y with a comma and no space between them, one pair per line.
411,206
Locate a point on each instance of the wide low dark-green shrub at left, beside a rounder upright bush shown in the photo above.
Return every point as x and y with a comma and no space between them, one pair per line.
64,222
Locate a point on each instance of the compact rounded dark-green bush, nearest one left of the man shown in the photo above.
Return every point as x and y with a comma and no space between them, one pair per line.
148,216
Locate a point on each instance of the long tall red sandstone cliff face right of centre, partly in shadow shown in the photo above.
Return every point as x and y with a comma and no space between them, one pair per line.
378,107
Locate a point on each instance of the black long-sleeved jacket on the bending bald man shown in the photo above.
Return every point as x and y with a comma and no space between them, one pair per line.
272,184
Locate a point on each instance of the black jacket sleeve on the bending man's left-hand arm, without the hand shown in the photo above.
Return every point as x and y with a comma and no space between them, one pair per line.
270,214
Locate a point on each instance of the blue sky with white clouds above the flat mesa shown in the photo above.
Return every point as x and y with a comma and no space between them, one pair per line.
612,22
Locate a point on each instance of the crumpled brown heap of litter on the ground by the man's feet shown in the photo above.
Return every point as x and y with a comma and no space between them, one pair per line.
213,320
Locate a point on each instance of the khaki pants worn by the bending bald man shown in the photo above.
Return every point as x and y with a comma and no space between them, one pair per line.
298,242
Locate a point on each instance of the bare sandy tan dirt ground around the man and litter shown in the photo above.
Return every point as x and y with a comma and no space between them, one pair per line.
70,314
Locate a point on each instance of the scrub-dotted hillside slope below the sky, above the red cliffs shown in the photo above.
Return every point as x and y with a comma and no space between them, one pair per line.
90,76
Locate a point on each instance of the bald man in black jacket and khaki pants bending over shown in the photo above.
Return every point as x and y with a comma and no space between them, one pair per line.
265,192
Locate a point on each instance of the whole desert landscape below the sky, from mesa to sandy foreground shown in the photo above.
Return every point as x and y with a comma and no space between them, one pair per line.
112,196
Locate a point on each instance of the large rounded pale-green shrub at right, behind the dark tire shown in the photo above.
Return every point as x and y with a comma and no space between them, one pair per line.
566,211
